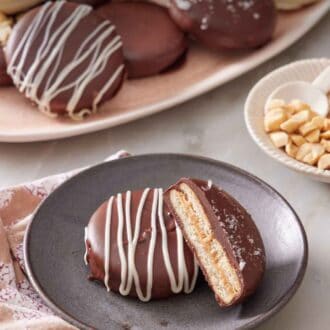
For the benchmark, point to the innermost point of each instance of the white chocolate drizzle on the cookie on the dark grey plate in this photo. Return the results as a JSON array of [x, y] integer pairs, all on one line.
[[129, 273]]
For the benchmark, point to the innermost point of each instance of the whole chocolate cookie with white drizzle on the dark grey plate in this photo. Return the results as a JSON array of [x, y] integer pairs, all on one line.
[[135, 248]]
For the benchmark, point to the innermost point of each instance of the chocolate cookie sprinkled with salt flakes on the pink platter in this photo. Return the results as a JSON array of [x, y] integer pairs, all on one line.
[[226, 24]]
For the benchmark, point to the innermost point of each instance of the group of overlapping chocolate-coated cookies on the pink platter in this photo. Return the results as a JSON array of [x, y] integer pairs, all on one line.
[[68, 57]]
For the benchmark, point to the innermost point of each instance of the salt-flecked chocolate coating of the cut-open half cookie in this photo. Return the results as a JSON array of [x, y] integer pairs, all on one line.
[[234, 228]]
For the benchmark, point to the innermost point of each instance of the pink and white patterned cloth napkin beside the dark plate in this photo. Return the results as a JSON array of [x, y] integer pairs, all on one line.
[[20, 305]]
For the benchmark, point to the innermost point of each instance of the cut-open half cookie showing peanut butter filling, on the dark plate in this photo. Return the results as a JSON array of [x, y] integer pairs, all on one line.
[[223, 236]]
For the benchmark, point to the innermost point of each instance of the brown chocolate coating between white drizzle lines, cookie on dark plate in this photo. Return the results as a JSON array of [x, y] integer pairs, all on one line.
[[95, 247]]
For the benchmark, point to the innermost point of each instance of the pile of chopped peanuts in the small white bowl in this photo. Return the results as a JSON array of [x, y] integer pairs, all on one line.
[[299, 131]]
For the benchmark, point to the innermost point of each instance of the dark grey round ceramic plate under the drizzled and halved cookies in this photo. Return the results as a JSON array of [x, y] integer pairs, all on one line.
[[54, 248]]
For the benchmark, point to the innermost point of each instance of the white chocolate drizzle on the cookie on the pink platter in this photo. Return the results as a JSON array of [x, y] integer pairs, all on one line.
[[50, 54]]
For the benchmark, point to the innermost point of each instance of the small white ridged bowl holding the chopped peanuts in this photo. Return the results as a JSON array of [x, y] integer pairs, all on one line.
[[306, 70]]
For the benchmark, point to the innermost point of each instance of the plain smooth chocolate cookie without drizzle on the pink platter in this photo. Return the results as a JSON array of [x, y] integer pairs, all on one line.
[[152, 42]]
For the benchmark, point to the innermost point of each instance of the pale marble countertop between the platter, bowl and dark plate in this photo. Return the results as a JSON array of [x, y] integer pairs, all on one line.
[[213, 126]]
